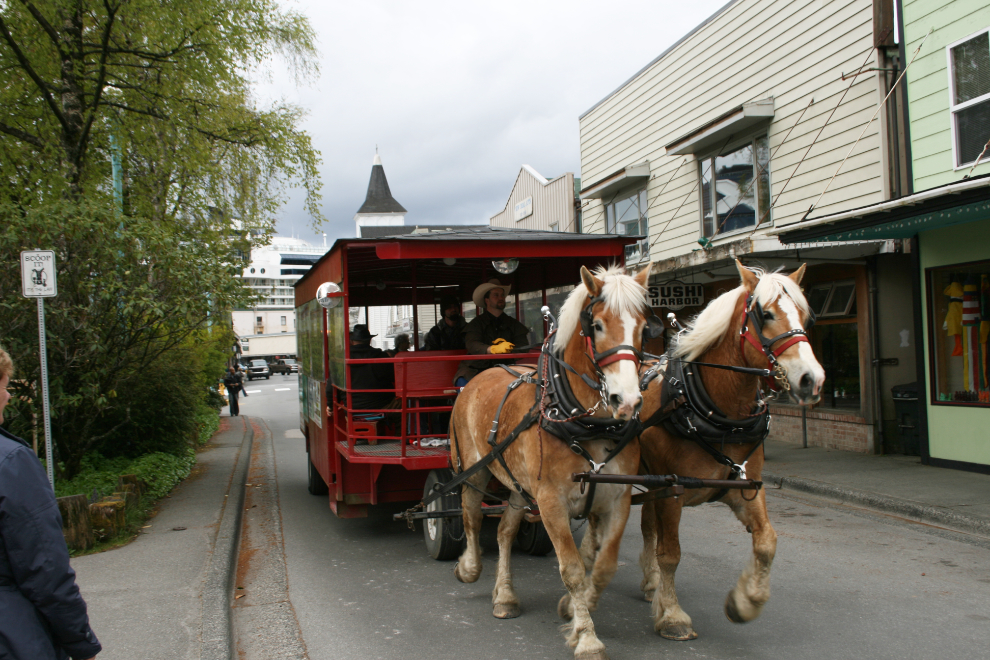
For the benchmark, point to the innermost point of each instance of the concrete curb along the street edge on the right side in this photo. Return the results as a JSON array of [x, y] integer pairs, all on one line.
[[923, 513]]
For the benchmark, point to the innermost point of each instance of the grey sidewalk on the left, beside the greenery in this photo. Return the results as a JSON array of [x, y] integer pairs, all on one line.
[[166, 594]]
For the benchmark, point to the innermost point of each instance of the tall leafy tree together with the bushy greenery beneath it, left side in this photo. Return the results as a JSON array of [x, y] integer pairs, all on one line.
[[162, 86]]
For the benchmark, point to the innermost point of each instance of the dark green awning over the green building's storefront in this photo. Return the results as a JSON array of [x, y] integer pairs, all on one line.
[[951, 204]]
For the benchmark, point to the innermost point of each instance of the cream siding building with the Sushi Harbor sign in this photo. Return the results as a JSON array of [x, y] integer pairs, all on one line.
[[767, 113]]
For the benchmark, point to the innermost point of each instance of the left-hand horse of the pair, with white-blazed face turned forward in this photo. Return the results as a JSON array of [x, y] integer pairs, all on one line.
[[599, 335]]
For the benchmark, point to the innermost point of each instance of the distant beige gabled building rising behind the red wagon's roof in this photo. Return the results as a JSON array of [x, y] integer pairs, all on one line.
[[536, 203]]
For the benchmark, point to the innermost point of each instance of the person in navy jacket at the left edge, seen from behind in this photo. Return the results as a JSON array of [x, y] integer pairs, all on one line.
[[42, 614]]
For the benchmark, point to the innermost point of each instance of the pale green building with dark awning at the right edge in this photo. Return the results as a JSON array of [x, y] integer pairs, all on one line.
[[944, 222]]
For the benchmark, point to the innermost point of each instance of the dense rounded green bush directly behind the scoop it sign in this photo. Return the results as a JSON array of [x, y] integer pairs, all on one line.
[[136, 329]]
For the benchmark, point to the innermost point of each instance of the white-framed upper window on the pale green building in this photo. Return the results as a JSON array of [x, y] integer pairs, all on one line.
[[969, 97]]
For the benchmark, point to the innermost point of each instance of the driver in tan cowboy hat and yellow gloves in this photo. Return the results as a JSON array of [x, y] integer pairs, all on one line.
[[491, 332]]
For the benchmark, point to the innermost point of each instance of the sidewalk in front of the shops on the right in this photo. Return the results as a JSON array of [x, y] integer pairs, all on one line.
[[896, 485]]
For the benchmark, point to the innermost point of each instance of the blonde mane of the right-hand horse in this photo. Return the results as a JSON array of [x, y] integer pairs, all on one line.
[[708, 328]]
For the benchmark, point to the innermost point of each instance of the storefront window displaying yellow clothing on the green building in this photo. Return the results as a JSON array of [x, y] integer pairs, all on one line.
[[958, 326]]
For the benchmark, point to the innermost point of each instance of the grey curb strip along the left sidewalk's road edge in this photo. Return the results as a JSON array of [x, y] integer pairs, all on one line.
[[217, 632]]
